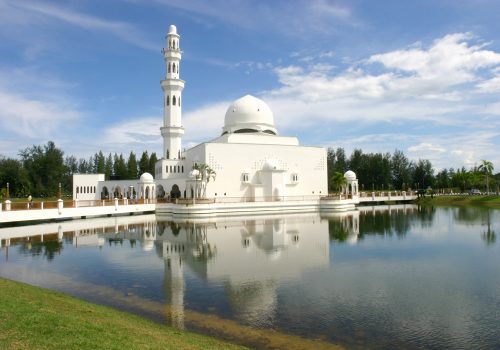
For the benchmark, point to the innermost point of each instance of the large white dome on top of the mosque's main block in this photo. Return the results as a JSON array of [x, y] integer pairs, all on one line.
[[249, 114]]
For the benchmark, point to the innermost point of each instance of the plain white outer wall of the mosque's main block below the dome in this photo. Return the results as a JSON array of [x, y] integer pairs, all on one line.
[[229, 161]]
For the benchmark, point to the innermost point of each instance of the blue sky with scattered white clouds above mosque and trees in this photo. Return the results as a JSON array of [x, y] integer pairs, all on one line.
[[418, 76]]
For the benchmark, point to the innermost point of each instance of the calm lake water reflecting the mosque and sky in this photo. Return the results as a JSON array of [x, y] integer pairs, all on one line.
[[379, 277]]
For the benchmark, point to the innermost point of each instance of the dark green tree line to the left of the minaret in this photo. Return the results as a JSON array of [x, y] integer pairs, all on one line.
[[40, 169]]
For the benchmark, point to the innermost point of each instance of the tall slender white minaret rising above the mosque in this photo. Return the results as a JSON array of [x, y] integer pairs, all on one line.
[[172, 87]]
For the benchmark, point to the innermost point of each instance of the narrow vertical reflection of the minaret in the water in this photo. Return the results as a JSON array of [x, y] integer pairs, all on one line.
[[174, 281]]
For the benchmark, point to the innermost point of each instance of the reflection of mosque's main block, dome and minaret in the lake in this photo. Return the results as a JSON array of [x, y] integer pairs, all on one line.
[[249, 256]]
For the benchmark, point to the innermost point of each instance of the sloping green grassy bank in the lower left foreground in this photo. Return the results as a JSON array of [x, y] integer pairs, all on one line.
[[35, 318]]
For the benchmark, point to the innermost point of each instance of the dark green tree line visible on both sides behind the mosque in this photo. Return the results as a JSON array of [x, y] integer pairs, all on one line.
[[40, 169]]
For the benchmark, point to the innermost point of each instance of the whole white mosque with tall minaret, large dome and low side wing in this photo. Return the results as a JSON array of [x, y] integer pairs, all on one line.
[[249, 162]]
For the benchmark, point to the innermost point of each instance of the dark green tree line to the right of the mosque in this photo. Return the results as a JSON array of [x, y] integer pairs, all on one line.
[[386, 171]]
